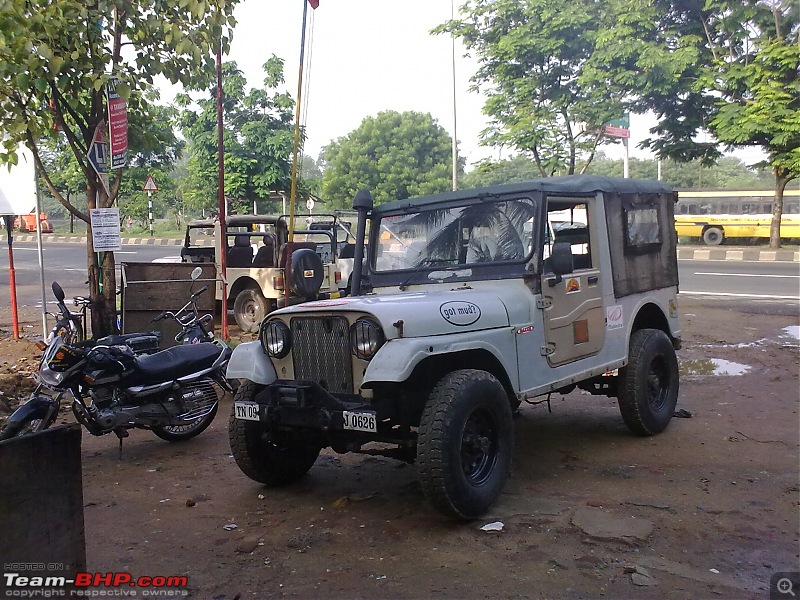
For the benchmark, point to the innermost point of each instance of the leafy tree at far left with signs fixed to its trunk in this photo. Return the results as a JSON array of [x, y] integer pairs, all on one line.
[[56, 59]]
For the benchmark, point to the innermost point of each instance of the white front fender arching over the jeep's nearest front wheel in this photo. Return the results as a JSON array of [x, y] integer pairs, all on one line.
[[398, 358]]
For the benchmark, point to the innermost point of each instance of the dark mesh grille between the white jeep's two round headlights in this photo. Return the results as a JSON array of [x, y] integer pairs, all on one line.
[[321, 352]]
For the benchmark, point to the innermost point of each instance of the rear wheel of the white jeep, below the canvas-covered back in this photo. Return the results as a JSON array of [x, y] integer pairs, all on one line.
[[648, 385]]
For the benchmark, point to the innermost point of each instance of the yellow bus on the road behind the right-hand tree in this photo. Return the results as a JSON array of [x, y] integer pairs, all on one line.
[[714, 215]]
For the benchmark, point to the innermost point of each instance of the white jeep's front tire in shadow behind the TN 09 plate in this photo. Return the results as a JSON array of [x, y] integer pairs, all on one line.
[[267, 461]]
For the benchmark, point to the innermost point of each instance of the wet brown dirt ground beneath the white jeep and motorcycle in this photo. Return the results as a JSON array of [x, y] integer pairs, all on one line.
[[708, 509]]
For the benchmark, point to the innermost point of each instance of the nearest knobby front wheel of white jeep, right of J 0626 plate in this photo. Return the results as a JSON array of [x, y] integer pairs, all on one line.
[[465, 443]]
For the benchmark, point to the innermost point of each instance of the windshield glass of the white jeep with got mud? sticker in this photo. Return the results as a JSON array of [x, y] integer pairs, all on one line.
[[478, 234]]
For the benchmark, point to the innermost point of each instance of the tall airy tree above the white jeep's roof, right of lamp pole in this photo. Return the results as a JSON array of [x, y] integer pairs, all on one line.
[[532, 56]]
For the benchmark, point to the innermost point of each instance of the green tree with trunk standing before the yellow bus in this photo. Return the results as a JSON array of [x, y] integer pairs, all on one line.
[[728, 67]]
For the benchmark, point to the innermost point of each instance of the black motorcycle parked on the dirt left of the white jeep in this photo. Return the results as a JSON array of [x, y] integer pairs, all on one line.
[[174, 392]]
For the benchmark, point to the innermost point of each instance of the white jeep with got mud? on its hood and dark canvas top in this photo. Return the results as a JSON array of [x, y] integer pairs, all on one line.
[[467, 304]]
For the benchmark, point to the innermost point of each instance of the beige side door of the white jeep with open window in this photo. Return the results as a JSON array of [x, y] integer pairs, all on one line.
[[572, 304]]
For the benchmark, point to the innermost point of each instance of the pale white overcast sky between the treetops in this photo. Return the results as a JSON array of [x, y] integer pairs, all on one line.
[[368, 56]]
